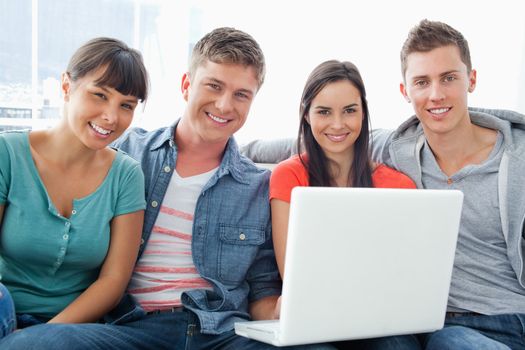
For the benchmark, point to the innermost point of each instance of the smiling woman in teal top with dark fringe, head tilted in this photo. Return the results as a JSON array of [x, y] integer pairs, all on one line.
[[71, 208]]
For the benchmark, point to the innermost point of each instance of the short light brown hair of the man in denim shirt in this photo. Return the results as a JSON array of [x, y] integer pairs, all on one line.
[[228, 45]]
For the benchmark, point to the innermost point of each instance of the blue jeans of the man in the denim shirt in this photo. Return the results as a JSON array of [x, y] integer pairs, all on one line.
[[177, 330]]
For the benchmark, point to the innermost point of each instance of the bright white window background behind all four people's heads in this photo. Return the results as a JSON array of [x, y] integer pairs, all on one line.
[[37, 37]]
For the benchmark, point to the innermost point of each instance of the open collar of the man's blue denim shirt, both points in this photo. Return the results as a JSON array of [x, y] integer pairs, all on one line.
[[231, 162]]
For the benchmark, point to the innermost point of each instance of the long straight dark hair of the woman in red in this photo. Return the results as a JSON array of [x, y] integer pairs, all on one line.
[[317, 163]]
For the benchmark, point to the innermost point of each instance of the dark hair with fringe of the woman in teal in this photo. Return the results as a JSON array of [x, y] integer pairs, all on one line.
[[125, 71]]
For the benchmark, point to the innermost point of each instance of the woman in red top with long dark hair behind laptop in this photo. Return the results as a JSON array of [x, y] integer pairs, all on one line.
[[333, 137]]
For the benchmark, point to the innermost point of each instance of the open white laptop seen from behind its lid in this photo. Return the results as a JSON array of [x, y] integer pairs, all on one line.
[[363, 263]]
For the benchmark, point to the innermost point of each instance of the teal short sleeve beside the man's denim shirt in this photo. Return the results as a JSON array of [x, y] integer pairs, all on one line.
[[131, 190]]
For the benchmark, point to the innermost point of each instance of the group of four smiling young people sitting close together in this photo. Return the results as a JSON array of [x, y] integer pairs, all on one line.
[[214, 225]]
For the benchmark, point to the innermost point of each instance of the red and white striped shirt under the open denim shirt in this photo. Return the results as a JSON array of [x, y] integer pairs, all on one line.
[[166, 267]]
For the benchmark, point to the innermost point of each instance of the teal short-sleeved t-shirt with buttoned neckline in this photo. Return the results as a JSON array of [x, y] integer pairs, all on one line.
[[46, 260]]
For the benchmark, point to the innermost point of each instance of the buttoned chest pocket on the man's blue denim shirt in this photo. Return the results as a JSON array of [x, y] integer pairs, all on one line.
[[239, 246]]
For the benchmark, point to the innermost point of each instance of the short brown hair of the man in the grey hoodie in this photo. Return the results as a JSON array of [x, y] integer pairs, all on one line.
[[429, 35]]
